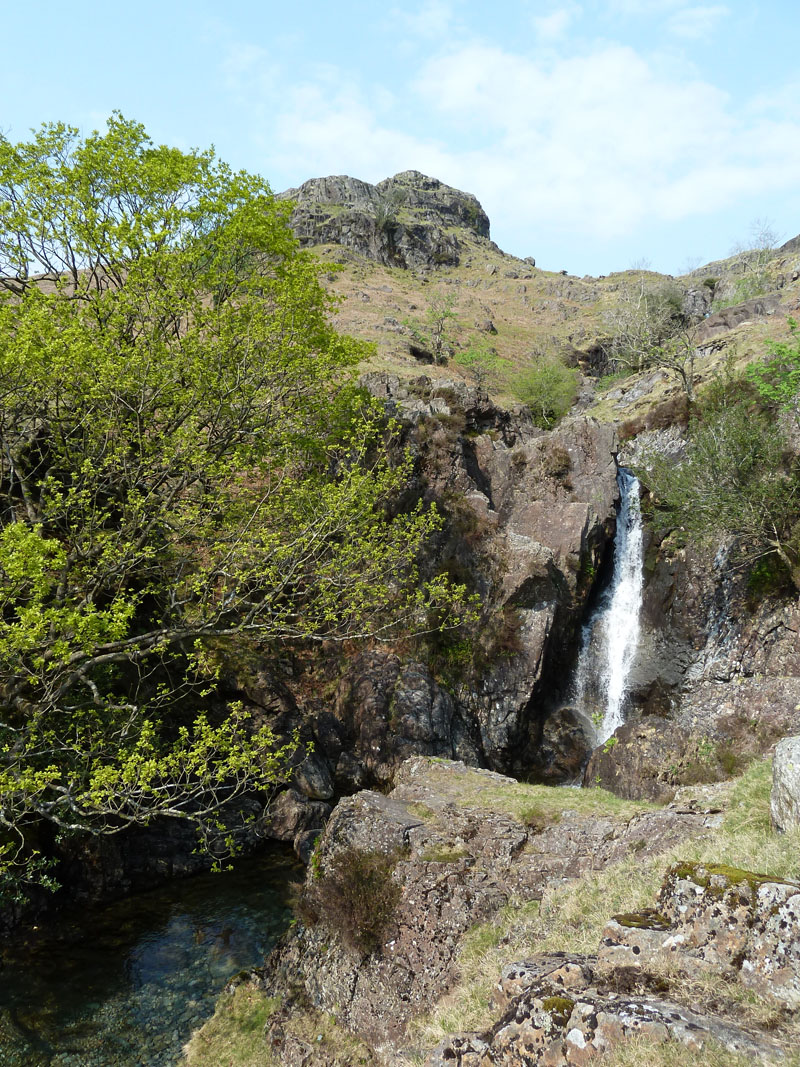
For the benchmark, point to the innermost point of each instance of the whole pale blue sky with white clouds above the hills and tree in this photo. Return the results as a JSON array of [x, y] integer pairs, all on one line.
[[597, 134]]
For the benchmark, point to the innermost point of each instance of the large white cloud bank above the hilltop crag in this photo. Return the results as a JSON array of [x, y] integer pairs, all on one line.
[[598, 145]]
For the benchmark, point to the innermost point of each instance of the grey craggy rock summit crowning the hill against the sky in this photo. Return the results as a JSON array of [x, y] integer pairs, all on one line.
[[409, 221]]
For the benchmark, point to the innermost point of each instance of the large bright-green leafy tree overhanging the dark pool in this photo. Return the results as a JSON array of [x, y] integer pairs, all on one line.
[[184, 464]]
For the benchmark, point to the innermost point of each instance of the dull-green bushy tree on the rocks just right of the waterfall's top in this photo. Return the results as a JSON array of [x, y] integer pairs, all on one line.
[[738, 480]]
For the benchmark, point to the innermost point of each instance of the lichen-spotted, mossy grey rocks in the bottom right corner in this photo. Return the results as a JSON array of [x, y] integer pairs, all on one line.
[[562, 1010]]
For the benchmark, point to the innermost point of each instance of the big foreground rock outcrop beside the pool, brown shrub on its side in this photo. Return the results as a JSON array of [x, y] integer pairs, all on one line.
[[457, 853]]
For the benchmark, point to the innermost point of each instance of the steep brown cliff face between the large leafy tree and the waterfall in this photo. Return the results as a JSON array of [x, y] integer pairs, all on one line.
[[527, 521]]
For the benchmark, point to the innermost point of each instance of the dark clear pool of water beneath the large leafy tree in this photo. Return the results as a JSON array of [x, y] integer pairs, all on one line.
[[129, 982]]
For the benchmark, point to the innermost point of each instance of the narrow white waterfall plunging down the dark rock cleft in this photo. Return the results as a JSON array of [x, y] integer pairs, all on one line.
[[611, 636]]
